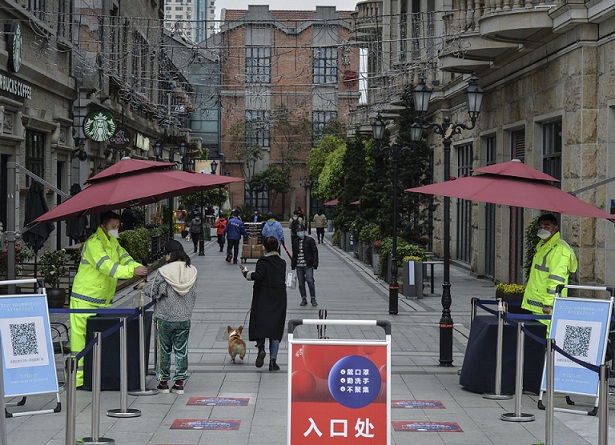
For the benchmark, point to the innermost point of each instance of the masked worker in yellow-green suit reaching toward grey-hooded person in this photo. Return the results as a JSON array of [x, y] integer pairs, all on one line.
[[103, 262]]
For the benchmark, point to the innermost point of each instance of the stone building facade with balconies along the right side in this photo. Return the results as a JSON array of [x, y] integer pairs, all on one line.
[[548, 72]]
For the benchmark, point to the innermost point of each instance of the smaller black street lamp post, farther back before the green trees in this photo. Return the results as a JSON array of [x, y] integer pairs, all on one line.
[[395, 152]]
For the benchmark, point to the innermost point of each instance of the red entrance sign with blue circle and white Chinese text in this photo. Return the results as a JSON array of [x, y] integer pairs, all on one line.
[[338, 393]]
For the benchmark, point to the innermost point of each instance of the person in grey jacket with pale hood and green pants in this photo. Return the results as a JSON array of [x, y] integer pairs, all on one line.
[[174, 289]]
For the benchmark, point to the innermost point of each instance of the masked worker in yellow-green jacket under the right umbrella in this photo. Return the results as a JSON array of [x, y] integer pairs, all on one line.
[[552, 264]]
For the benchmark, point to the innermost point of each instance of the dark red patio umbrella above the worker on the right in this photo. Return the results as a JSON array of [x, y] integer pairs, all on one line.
[[531, 190]]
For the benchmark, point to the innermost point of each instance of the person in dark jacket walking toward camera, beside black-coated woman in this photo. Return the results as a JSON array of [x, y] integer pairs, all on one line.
[[305, 261]]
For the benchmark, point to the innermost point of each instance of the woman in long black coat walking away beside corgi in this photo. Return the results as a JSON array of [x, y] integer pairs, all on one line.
[[268, 310]]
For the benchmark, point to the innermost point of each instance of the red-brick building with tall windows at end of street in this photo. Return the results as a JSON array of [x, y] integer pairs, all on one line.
[[285, 74]]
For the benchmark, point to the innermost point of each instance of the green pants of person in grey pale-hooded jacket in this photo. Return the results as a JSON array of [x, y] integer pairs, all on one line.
[[172, 337]]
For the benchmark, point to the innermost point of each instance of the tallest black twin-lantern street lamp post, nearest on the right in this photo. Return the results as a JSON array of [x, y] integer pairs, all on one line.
[[474, 96]]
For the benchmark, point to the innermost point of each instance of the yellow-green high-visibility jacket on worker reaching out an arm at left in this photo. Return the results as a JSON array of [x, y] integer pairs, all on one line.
[[103, 262]]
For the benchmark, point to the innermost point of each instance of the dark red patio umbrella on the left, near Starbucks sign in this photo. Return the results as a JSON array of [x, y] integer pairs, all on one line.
[[144, 186]]
